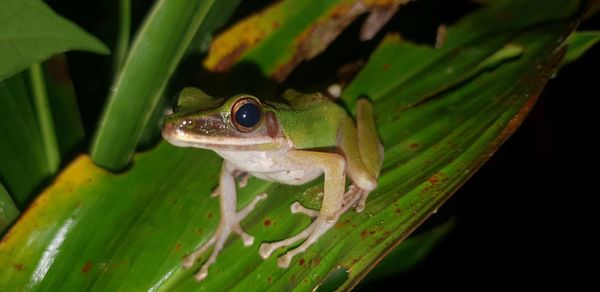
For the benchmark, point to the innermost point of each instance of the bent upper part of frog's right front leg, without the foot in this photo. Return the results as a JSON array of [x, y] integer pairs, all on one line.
[[333, 166]]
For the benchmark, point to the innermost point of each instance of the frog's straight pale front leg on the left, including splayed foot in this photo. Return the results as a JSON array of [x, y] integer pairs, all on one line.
[[230, 221]]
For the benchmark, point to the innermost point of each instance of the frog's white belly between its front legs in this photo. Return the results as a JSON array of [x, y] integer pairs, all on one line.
[[272, 166]]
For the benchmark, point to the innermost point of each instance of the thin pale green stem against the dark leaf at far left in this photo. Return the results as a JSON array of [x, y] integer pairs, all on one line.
[[44, 117]]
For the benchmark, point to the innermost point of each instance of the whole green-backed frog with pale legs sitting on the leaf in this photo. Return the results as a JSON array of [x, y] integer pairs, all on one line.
[[292, 140]]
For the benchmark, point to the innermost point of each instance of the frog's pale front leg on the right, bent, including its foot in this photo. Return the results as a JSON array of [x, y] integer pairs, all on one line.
[[333, 166]]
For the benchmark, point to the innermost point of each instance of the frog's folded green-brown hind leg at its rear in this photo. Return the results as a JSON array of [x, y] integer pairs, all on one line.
[[364, 154]]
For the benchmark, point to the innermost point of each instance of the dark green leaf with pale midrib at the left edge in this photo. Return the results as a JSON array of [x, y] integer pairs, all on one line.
[[28, 156]]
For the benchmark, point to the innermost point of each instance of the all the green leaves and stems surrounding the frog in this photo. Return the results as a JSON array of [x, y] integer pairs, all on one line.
[[441, 112]]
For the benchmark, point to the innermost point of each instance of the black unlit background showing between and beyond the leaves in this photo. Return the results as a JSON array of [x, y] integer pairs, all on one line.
[[522, 222]]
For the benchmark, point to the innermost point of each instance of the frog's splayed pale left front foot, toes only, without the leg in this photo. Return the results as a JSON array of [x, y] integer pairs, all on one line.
[[229, 223]]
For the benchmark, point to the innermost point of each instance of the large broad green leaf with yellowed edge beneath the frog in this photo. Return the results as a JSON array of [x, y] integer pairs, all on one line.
[[93, 229]]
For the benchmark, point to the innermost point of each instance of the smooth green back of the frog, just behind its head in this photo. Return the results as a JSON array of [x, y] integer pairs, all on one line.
[[312, 120]]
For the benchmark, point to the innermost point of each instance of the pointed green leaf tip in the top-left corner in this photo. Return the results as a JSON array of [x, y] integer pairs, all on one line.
[[31, 32]]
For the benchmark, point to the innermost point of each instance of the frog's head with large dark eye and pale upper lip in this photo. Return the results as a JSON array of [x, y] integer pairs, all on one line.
[[239, 123]]
